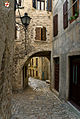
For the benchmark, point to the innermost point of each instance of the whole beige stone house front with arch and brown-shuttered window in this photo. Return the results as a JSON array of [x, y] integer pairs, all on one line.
[[36, 43]]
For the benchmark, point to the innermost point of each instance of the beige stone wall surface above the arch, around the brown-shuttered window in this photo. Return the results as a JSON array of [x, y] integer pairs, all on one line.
[[39, 18]]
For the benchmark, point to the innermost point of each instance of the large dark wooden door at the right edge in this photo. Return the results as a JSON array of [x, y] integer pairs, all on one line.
[[75, 80]]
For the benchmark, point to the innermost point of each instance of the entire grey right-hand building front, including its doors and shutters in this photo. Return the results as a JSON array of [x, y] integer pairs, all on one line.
[[66, 49]]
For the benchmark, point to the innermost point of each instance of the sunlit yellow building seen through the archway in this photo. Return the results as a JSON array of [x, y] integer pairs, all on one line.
[[39, 68]]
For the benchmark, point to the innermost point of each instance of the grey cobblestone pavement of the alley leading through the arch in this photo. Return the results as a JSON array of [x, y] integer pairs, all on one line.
[[38, 102]]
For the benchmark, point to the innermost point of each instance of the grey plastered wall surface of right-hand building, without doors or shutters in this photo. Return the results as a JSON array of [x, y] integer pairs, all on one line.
[[65, 44]]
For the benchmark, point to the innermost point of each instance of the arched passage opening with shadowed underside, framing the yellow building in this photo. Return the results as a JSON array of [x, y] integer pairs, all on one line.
[[35, 67]]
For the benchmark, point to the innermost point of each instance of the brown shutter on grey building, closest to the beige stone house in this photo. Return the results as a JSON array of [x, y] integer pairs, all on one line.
[[55, 25]]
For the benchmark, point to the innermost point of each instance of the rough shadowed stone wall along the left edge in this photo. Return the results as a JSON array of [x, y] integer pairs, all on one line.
[[6, 57]]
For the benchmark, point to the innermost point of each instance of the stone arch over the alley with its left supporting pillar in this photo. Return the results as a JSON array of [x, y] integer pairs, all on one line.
[[18, 80]]
